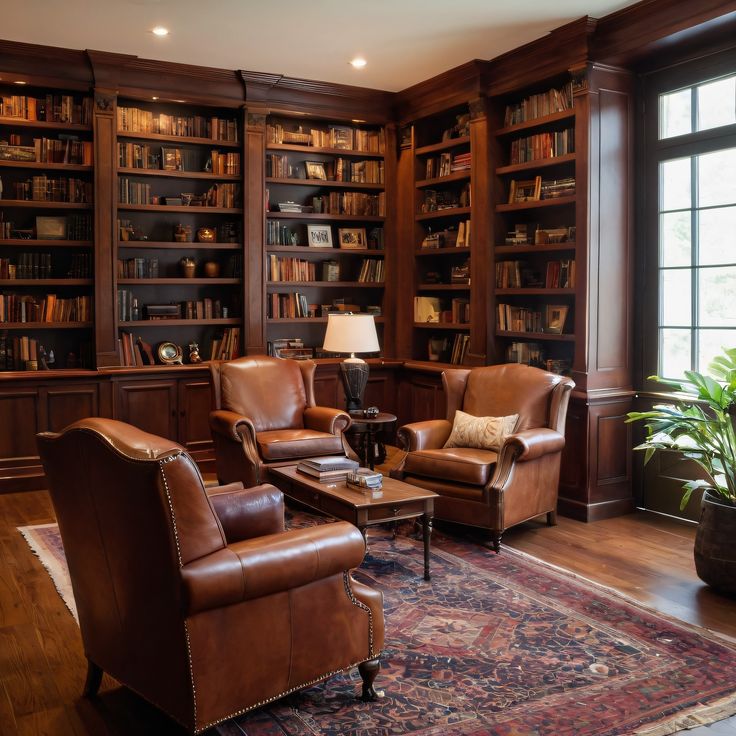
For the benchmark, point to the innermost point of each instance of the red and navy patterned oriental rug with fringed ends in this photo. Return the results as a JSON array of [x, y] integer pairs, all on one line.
[[498, 645]]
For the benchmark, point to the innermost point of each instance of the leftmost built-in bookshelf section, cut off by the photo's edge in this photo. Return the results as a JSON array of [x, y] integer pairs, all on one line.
[[46, 229]]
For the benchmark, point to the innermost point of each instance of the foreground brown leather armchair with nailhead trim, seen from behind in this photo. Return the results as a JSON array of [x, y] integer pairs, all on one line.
[[198, 599]]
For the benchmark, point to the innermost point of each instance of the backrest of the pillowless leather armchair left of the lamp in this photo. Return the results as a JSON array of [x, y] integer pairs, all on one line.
[[272, 392]]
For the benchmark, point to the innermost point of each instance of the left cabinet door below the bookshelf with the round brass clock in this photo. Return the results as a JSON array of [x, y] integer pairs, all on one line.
[[150, 405]]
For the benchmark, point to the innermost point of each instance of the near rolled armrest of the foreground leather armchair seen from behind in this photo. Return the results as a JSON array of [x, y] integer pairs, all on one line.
[[275, 563]]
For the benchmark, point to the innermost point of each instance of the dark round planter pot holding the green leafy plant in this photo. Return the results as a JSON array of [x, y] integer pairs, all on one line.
[[715, 544]]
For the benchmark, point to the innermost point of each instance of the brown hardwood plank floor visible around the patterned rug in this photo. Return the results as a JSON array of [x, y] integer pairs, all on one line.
[[42, 667]]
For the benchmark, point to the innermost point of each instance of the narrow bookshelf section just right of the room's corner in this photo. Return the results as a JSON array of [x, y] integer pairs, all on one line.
[[442, 237]]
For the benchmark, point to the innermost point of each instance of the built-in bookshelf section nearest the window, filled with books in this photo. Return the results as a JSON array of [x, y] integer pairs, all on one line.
[[535, 243]]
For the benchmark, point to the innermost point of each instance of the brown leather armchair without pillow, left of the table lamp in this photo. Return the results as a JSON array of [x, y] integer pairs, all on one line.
[[265, 415]]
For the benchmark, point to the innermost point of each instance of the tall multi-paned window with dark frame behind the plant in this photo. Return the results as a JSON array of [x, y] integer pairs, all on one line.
[[693, 168]]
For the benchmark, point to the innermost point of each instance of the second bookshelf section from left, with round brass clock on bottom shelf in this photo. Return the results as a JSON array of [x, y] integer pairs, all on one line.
[[179, 251]]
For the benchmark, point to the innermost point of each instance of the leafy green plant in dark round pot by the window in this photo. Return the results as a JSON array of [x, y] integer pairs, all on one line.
[[699, 424]]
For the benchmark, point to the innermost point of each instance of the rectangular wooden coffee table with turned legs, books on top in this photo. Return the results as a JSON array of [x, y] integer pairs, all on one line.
[[397, 501]]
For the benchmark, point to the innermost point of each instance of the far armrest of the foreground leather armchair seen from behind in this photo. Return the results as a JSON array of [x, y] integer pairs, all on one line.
[[248, 512]]
